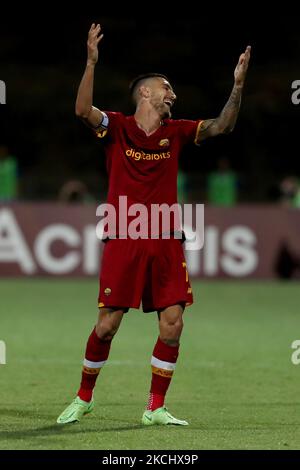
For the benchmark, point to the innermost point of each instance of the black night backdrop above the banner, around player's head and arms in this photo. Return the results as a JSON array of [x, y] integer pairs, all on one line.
[[42, 61]]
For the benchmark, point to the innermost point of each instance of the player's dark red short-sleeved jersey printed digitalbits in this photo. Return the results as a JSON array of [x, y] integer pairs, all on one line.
[[144, 168]]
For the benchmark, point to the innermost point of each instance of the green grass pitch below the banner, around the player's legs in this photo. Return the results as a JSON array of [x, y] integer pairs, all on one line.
[[234, 382]]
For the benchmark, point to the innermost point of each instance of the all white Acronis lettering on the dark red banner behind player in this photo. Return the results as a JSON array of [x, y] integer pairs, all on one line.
[[232, 251]]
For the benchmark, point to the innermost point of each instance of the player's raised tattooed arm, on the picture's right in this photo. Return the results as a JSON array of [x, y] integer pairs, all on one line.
[[225, 122]]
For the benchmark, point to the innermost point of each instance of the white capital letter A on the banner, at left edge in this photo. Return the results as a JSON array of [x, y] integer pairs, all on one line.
[[13, 247]]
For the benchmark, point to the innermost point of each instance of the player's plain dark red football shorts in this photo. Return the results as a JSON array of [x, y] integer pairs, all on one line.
[[149, 270]]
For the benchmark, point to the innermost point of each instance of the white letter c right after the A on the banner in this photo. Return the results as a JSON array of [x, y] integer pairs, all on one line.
[[42, 246]]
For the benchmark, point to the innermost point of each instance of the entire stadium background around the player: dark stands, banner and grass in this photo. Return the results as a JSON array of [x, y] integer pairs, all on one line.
[[236, 374]]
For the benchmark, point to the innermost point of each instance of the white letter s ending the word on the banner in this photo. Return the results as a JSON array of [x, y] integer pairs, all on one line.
[[241, 258]]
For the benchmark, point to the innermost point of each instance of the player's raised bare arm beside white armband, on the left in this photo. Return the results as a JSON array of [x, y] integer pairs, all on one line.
[[84, 108]]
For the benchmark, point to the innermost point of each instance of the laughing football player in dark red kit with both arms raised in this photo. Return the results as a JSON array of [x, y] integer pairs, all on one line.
[[142, 154]]
